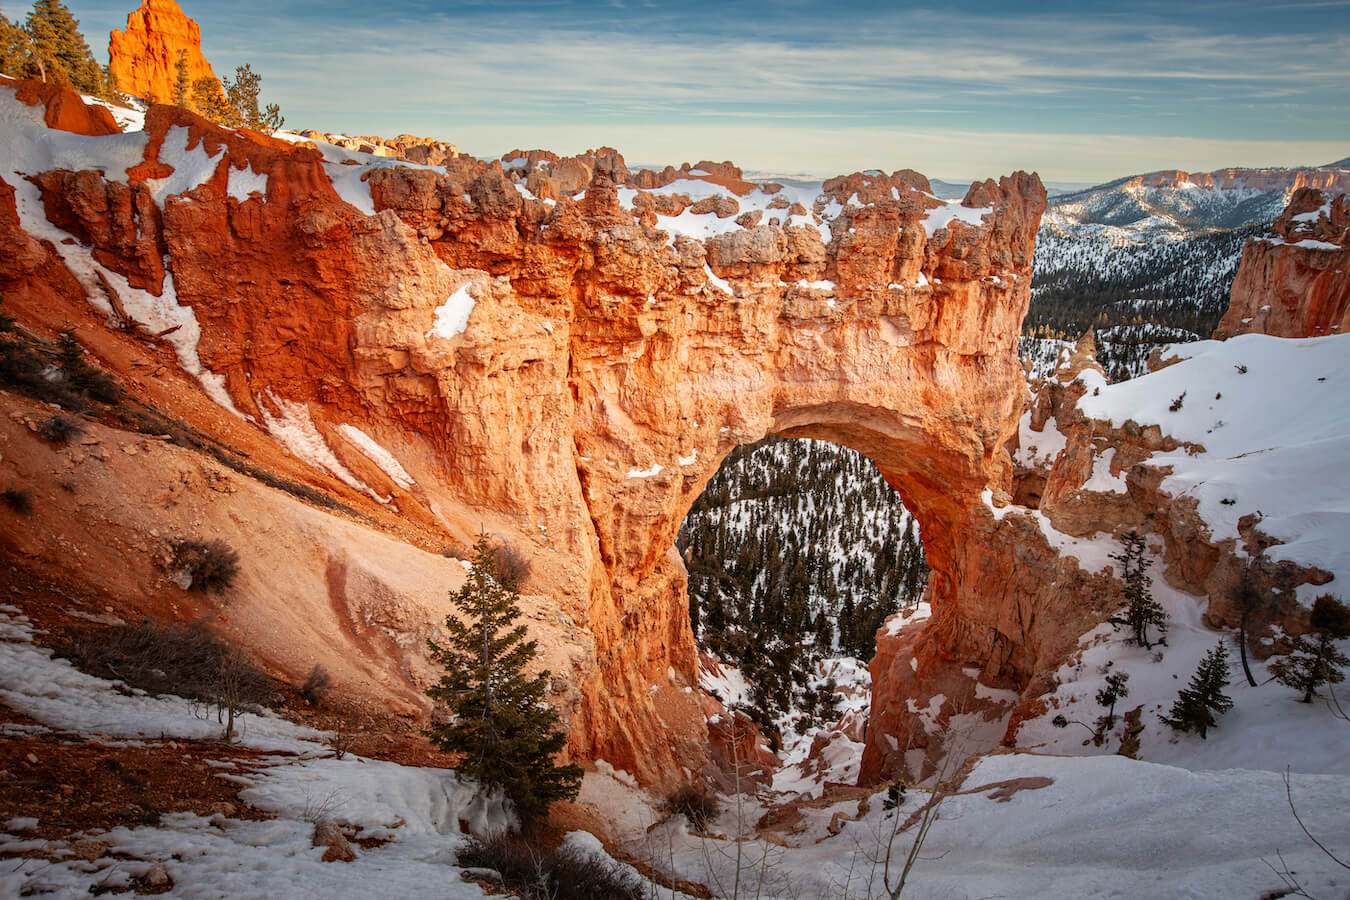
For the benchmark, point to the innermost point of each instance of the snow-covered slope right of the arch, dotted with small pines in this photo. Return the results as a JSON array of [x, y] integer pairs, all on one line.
[[1266, 424]]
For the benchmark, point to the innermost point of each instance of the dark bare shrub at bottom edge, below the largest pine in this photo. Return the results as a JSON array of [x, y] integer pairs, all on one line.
[[551, 875]]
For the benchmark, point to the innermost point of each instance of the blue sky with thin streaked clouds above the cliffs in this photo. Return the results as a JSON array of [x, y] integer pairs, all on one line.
[[1079, 92]]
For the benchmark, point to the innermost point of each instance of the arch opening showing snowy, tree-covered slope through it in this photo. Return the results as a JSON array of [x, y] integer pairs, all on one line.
[[797, 551]]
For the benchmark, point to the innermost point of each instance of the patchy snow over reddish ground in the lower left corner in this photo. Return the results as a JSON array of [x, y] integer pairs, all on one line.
[[416, 809]]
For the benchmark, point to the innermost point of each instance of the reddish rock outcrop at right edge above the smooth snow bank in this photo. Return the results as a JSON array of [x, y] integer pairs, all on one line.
[[1297, 283]]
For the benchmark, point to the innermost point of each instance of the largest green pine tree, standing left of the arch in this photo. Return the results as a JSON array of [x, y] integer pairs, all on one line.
[[502, 727]]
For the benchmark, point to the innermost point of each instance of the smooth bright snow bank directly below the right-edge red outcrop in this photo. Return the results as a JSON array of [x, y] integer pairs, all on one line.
[[1274, 416]]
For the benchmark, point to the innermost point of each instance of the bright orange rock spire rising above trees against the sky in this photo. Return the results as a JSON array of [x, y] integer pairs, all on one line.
[[145, 57]]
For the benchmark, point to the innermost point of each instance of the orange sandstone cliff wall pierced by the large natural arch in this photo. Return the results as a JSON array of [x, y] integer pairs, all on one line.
[[622, 333]]
